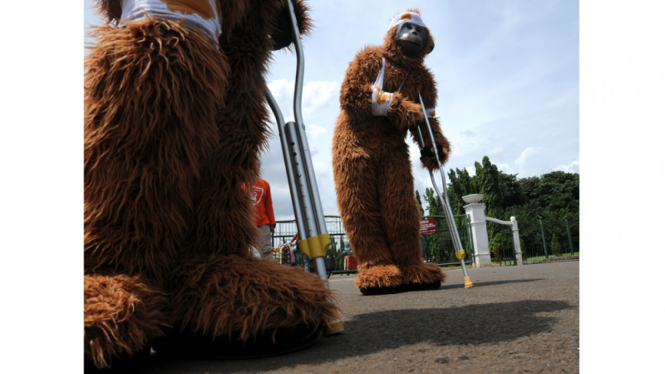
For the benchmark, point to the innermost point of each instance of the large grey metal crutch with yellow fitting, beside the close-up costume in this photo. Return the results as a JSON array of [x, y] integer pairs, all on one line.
[[307, 208]]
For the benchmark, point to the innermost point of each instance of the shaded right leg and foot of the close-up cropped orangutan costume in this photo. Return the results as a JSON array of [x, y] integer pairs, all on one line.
[[225, 302]]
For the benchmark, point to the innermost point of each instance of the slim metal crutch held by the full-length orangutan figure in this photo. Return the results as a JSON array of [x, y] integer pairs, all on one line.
[[457, 243]]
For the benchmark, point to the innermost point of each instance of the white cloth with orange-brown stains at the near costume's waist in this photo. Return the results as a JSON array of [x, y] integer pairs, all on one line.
[[206, 17]]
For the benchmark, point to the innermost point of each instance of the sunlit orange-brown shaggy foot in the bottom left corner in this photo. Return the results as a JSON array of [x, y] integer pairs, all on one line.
[[121, 316]]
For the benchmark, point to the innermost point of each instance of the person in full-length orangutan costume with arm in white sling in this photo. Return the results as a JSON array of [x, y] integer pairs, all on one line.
[[372, 171]]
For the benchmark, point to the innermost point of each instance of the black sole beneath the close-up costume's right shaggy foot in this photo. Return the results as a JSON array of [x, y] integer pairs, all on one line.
[[271, 342]]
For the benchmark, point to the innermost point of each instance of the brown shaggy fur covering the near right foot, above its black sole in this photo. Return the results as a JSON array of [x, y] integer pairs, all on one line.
[[227, 294]]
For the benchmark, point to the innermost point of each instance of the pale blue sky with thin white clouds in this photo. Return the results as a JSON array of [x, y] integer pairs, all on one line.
[[507, 73]]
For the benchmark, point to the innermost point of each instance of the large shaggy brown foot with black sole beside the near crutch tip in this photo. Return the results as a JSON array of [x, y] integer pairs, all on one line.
[[219, 302]]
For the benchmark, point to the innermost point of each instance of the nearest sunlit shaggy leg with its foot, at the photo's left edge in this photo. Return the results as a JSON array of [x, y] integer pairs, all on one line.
[[151, 93]]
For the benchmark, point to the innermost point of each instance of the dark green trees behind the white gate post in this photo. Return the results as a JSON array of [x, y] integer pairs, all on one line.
[[552, 198]]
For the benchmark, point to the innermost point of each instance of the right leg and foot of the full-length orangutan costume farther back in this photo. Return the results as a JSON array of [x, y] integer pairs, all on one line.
[[401, 218]]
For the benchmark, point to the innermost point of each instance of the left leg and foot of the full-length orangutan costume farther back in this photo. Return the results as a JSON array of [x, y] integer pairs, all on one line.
[[356, 182]]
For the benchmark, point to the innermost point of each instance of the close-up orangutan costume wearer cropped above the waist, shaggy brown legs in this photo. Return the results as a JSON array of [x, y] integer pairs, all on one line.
[[174, 123]]
